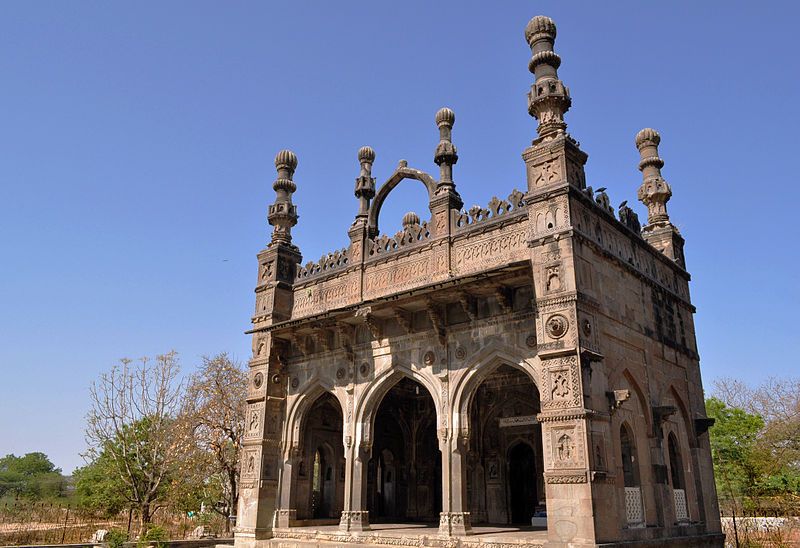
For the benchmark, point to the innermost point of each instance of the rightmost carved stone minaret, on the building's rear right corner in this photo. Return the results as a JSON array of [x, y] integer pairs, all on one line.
[[654, 193]]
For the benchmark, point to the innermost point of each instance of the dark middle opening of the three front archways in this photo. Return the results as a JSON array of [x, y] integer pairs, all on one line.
[[404, 475]]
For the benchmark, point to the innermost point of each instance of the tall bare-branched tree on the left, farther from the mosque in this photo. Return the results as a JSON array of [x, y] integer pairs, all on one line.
[[130, 423]]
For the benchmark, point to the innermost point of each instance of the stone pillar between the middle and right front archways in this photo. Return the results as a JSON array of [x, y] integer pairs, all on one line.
[[455, 516]]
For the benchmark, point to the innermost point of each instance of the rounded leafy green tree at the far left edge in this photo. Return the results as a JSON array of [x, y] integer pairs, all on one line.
[[32, 476]]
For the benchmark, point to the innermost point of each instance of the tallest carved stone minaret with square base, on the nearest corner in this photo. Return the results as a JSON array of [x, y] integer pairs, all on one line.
[[554, 160]]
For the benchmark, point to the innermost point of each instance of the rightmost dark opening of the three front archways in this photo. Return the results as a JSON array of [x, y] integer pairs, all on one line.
[[505, 461]]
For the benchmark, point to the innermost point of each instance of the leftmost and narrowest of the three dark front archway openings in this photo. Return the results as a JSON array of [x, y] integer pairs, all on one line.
[[320, 477]]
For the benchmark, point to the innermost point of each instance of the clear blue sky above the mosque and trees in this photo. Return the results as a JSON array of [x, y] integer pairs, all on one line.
[[137, 140]]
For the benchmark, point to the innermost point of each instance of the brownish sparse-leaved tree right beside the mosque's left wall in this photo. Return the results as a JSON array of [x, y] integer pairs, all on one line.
[[214, 409]]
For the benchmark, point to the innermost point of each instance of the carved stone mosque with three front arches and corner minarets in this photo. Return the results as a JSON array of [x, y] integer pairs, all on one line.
[[520, 374]]
